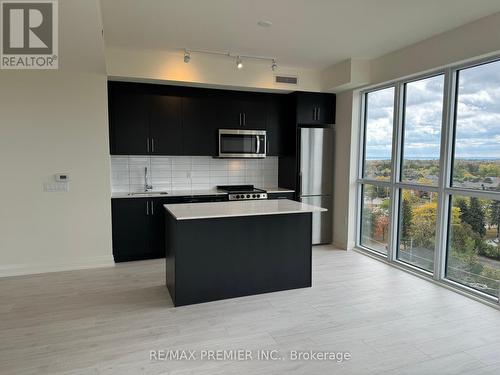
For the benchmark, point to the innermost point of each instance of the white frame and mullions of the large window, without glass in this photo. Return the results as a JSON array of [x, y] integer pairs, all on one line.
[[444, 187]]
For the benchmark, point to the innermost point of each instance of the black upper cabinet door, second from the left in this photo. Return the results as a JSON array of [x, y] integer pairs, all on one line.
[[166, 125]]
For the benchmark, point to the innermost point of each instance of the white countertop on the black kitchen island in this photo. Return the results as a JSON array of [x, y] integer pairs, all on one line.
[[190, 211]]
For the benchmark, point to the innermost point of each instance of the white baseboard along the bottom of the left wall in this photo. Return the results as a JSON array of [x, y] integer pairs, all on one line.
[[39, 267]]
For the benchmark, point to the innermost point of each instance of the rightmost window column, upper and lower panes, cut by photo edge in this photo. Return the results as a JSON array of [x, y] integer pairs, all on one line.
[[473, 251]]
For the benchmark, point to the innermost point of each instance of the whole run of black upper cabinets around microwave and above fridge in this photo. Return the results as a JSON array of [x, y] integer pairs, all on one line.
[[147, 119]]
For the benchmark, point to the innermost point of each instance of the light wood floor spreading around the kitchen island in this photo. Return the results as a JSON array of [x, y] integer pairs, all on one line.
[[106, 321]]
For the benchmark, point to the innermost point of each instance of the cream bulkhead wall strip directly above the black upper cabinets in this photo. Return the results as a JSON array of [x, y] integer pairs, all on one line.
[[215, 71]]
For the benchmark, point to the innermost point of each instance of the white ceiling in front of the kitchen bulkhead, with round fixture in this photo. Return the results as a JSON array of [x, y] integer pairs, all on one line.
[[304, 33]]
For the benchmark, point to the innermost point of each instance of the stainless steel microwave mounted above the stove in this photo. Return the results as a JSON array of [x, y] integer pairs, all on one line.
[[238, 143]]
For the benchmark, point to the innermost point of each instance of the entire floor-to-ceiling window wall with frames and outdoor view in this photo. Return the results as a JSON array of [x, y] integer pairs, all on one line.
[[429, 176]]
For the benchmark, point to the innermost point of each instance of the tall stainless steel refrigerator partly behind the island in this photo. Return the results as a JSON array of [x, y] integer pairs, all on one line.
[[316, 178]]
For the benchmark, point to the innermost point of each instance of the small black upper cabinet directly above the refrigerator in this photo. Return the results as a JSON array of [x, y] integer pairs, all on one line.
[[315, 108]]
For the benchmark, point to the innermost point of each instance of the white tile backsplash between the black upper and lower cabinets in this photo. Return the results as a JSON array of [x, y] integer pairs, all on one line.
[[190, 172]]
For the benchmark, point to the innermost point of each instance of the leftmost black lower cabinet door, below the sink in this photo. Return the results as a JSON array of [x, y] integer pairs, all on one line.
[[130, 223]]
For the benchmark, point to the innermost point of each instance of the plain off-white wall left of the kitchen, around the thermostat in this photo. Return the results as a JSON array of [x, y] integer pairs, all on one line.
[[53, 122]]
